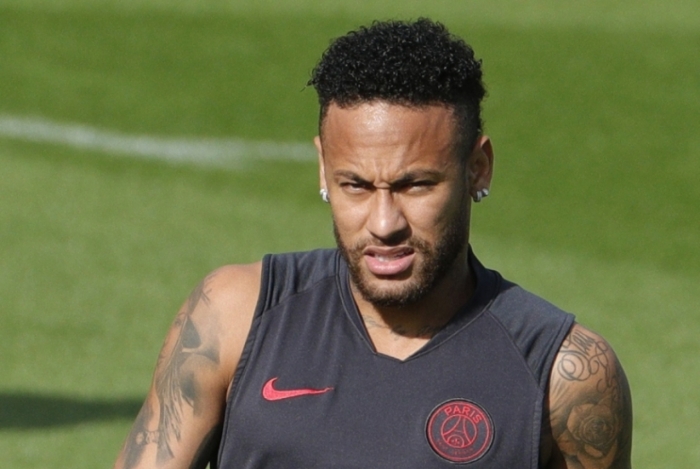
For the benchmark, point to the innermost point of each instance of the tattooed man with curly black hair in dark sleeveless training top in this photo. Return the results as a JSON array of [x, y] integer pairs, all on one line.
[[398, 349]]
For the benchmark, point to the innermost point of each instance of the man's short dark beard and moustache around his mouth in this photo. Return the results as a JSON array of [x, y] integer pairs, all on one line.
[[433, 263]]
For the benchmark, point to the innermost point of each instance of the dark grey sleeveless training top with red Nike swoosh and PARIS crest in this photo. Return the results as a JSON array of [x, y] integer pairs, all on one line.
[[310, 391]]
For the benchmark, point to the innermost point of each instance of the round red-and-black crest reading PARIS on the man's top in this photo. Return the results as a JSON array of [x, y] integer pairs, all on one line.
[[459, 431]]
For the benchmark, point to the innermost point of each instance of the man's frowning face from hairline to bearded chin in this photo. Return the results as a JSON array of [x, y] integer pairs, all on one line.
[[399, 194]]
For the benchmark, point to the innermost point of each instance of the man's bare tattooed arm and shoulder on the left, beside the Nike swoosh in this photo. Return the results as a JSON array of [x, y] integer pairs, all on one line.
[[180, 422]]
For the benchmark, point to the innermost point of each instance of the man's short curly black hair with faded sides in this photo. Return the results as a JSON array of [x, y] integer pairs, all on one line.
[[408, 63]]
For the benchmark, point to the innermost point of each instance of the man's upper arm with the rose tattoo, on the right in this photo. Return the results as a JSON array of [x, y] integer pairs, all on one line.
[[589, 406]]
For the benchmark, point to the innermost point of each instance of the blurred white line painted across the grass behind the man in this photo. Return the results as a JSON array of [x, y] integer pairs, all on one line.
[[204, 151]]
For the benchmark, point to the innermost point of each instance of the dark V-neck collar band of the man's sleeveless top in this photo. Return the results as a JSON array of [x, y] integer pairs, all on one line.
[[487, 283]]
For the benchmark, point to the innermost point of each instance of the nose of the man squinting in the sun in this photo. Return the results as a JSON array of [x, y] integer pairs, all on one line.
[[386, 220]]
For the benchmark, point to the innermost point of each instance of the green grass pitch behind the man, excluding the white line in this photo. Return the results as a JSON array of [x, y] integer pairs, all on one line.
[[593, 108]]
